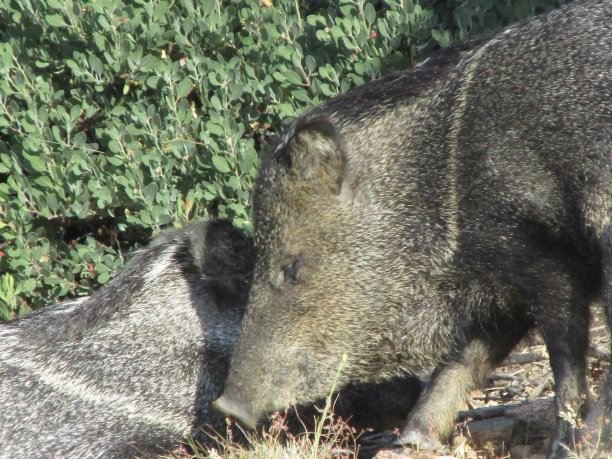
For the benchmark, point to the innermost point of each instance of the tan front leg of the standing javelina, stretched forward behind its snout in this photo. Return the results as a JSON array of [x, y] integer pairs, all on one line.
[[434, 415]]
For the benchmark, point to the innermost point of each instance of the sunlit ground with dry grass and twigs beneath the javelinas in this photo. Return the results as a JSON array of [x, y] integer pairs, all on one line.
[[513, 417]]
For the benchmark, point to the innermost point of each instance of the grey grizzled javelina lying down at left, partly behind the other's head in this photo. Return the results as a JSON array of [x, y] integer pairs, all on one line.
[[135, 367]]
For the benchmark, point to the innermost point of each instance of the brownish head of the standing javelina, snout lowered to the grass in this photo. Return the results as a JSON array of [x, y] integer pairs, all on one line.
[[312, 300]]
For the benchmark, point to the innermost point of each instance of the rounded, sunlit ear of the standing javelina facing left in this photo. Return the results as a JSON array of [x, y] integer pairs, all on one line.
[[317, 155]]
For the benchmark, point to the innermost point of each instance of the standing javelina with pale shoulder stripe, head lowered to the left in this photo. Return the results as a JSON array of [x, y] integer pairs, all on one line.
[[431, 218]]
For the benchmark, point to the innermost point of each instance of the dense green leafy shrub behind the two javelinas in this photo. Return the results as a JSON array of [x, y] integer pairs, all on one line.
[[120, 118]]
